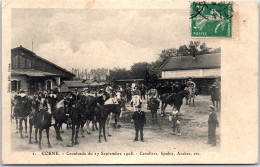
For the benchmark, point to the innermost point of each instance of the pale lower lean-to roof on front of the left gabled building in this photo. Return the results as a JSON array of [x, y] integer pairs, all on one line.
[[31, 73]]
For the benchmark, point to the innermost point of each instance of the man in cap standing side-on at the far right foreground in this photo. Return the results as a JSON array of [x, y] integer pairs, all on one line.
[[212, 125]]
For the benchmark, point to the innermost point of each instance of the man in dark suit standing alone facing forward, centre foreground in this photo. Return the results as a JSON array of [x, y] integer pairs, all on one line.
[[139, 122]]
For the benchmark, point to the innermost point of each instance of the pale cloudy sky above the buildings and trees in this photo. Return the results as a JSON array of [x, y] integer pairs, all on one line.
[[95, 38]]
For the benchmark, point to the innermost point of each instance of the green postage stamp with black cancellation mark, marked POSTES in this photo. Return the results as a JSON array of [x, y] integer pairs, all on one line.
[[210, 19]]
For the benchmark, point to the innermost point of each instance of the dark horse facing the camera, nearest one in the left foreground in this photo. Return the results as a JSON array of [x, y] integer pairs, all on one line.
[[40, 118]]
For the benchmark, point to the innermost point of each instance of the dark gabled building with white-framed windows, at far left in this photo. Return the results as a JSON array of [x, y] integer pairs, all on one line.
[[32, 73]]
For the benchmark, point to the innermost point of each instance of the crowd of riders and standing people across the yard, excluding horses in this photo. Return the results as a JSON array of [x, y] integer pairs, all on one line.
[[134, 93]]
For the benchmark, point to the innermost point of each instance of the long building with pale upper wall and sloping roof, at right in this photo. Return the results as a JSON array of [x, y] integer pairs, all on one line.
[[204, 70]]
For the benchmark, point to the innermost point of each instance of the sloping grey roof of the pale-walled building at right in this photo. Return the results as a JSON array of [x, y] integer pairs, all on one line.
[[187, 62]]
